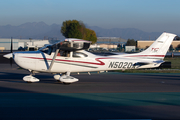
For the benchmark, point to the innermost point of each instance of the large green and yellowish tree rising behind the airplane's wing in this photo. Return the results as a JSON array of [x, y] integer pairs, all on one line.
[[76, 29]]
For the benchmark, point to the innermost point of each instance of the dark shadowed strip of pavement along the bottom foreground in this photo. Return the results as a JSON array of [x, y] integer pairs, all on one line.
[[21, 104]]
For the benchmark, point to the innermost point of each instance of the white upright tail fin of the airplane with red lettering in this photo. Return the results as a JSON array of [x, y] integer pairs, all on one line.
[[159, 48]]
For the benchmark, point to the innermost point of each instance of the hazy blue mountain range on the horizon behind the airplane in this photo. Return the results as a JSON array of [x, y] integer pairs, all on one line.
[[40, 30]]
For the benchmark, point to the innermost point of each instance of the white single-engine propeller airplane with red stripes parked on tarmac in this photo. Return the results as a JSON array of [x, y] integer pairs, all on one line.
[[69, 56]]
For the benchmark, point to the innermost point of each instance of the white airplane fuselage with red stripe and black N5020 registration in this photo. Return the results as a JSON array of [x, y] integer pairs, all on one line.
[[82, 61]]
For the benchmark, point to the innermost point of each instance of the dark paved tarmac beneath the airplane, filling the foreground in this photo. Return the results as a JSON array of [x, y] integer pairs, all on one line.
[[104, 96]]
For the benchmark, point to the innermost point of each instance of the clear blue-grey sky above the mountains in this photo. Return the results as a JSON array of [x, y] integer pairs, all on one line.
[[146, 15]]
